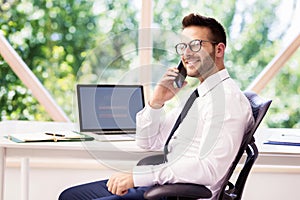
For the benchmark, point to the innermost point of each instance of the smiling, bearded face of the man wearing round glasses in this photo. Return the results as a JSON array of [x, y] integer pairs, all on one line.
[[199, 64]]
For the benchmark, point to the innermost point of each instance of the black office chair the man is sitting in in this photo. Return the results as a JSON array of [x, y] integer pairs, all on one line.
[[229, 191]]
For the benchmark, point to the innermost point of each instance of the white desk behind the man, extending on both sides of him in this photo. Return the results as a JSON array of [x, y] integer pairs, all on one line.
[[125, 153]]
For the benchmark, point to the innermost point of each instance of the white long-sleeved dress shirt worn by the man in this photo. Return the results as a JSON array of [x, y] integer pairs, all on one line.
[[205, 143]]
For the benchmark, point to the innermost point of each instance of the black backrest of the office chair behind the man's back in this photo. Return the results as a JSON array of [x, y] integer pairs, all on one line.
[[235, 191]]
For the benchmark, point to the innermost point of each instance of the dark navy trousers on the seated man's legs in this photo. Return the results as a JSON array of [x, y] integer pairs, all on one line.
[[98, 191]]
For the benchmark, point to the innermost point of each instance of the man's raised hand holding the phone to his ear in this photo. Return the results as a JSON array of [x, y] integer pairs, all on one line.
[[165, 90]]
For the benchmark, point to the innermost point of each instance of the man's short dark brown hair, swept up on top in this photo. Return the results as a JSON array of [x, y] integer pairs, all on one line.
[[218, 32]]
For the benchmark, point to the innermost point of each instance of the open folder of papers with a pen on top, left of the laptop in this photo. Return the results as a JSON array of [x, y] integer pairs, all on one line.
[[55, 136]]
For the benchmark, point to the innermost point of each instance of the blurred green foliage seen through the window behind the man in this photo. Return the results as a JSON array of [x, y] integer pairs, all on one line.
[[54, 38]]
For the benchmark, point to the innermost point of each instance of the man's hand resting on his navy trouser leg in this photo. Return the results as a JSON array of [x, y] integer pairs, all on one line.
[[120, 183]]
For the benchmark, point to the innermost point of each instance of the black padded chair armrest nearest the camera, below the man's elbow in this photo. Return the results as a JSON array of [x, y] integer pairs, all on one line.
[[186, 190]]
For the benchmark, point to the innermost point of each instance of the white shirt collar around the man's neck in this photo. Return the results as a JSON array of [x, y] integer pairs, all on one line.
[[212, 81]]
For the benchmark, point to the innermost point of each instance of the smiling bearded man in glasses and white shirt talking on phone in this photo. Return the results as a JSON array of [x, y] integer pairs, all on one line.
[[208, 138]]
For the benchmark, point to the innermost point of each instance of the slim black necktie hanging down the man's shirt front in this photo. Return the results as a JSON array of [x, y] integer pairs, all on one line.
[[182, 115]]
